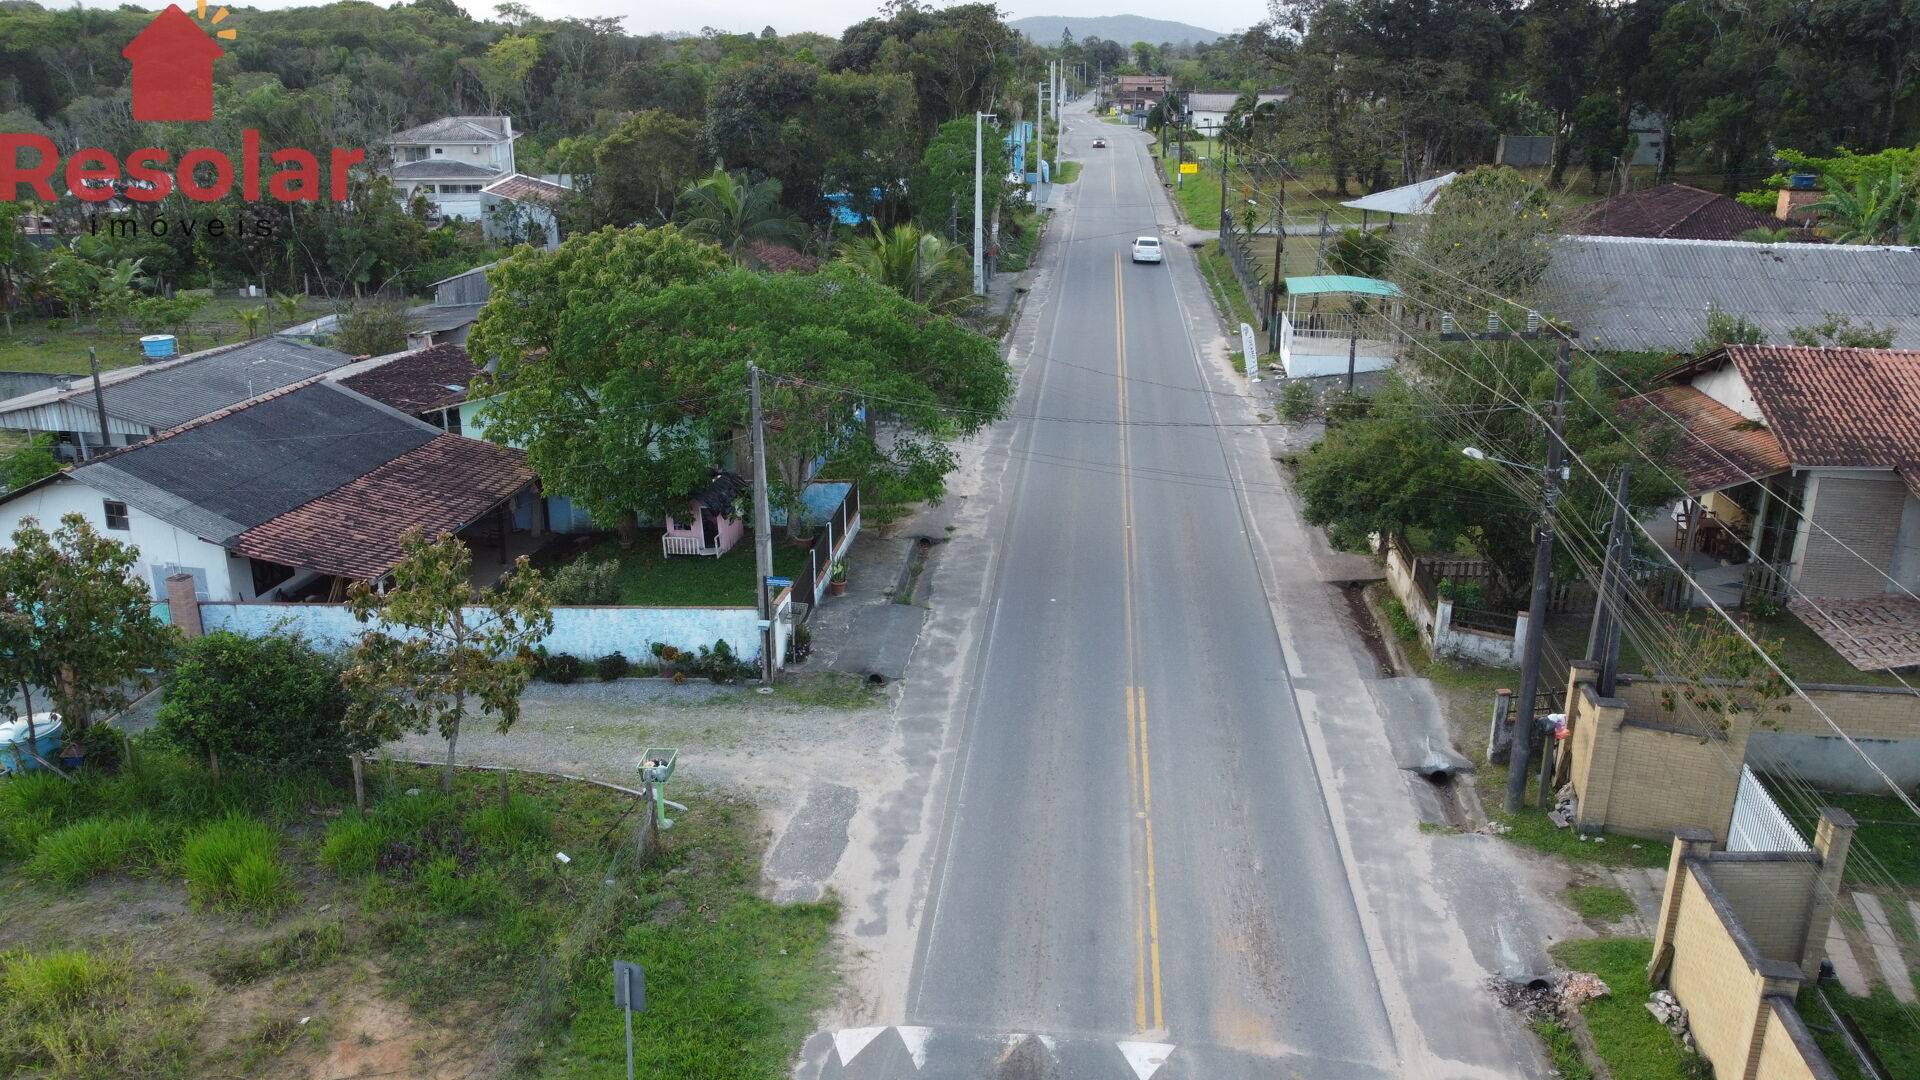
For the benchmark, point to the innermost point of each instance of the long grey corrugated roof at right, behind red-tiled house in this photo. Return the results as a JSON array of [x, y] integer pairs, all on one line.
[[1652, 295]]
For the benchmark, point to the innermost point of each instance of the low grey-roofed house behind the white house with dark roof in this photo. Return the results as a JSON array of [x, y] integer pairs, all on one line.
[[145, 401]]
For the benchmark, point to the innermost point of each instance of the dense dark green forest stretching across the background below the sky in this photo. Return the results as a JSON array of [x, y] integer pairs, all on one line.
[[1381, 91]]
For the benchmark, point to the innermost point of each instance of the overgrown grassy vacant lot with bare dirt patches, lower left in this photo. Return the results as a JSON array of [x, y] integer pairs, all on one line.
[[162, 923]]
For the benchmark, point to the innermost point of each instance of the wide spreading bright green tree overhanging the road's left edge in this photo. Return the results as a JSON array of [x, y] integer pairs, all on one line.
[[828, 343]]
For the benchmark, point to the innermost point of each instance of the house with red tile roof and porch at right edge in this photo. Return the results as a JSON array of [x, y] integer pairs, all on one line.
[[1802, 472]]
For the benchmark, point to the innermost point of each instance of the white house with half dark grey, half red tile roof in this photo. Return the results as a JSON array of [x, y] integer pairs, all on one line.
[[287, 497]]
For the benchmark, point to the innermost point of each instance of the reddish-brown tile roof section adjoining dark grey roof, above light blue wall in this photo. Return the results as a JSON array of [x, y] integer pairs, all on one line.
[[354, 531]]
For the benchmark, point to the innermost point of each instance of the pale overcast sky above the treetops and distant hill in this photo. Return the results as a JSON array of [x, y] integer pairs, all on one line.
[[794, 16]]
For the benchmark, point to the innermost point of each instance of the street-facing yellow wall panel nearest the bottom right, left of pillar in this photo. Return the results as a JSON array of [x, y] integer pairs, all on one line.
[[1714, 983]]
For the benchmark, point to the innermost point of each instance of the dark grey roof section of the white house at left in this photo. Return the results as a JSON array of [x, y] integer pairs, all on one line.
[[252, 464]]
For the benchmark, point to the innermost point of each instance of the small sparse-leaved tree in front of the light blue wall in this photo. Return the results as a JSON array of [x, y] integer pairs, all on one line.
[[433, 645]]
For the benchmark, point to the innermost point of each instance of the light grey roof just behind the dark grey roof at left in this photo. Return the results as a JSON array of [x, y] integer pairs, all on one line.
[[176, 395]]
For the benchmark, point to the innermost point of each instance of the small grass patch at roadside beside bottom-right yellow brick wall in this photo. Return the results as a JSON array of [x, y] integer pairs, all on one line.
[[1625, 1035]]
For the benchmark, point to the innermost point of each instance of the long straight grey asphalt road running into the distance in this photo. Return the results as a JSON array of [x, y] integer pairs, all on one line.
[[1136, 856]]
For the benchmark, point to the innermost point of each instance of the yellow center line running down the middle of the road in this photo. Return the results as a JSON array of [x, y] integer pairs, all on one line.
[[1147, 996]]
